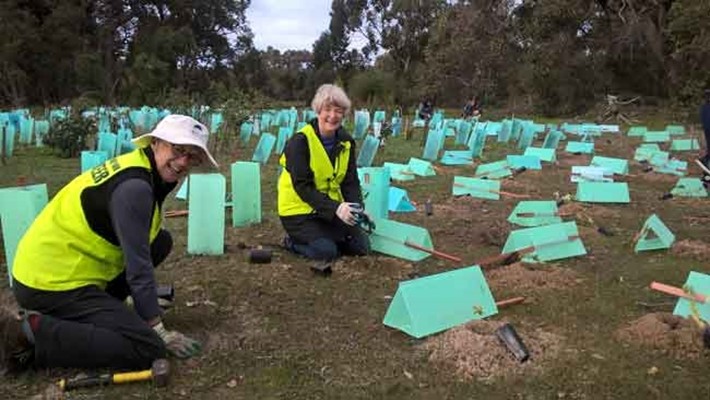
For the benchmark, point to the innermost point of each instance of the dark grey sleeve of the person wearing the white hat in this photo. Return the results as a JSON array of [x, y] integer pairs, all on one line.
[[131, 209]]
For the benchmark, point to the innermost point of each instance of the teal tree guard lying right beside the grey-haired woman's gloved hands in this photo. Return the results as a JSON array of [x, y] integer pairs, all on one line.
[[391, 238]]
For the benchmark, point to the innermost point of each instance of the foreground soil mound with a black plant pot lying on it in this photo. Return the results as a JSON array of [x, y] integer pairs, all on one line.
[[472, 351]]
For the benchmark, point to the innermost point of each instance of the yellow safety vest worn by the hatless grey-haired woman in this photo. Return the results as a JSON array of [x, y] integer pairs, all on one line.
[[326, 176]]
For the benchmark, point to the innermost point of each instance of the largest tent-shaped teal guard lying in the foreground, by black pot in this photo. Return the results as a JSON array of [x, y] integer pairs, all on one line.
[[435, 303]]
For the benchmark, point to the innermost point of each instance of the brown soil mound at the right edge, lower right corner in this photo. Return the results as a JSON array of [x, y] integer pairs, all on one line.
[[665, 332]]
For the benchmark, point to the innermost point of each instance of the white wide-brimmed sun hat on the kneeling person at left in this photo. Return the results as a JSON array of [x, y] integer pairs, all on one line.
[[179, 129]]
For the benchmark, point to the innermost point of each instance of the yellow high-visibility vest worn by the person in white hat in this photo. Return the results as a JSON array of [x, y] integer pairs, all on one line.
[[60, 251]]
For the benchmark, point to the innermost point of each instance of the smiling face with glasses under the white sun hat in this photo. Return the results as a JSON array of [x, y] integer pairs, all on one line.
[[173, 161]]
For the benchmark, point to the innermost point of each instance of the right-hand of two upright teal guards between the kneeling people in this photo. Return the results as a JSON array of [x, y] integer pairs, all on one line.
[[246, 194]]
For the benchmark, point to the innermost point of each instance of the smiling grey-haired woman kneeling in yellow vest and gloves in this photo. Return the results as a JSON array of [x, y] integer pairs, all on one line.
[[319, 195]]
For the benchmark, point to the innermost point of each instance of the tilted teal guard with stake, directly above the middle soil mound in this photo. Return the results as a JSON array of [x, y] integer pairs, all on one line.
[[547, 242]]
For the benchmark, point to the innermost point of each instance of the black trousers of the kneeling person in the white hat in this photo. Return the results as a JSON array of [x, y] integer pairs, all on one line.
[[92, 328]]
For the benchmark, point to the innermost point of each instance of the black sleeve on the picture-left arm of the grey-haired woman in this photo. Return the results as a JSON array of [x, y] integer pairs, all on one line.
[[298, 165]]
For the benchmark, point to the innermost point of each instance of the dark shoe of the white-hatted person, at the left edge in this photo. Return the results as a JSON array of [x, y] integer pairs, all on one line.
[[16, 349]]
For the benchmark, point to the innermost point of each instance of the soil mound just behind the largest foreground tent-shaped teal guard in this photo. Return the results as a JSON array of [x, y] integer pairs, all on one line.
[[521, 278]]
